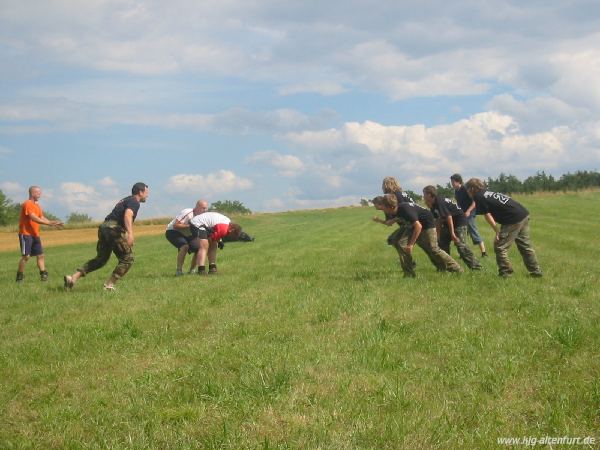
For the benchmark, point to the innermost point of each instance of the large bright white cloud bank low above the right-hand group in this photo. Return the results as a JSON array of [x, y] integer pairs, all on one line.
[[490, 142]]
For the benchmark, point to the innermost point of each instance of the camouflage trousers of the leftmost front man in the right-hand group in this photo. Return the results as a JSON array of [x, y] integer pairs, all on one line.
[[427, 240]]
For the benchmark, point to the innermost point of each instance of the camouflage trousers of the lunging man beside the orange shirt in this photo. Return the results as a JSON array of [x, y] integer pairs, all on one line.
[[111, 239]]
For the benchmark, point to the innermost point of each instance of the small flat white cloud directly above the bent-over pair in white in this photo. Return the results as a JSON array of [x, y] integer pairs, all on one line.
[[206, 185]]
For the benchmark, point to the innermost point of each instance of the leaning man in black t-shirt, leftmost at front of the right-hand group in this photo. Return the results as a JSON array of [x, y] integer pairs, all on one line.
[[421, 232]]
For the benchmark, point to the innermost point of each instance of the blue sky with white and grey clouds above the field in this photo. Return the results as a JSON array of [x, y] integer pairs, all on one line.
[[287, 105]]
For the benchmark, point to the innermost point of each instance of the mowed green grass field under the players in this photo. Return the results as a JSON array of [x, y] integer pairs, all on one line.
[[309, 337]]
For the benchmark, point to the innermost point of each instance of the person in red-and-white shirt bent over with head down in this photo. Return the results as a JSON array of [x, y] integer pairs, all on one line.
[[209, 227]]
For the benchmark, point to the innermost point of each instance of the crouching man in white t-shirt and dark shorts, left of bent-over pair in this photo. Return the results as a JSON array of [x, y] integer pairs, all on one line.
[[178, 233]]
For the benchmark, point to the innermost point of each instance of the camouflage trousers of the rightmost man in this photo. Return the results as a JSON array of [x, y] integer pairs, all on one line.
[[517, 233]]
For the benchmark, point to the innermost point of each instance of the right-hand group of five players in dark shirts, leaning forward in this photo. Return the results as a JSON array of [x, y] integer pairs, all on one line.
[[434, 229]]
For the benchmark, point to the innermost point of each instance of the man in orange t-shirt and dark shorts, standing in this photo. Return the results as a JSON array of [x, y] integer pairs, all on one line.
[[29, 233]]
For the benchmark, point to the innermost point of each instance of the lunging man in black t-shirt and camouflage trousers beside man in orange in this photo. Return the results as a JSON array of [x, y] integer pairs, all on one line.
[[115, 235]]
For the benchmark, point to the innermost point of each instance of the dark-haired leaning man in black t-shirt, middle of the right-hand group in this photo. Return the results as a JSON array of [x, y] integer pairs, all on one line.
[[451, 225]]
